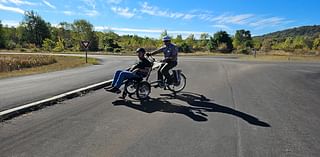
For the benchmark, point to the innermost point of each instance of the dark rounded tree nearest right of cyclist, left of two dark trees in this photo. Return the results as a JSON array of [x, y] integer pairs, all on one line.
[[222, 37]]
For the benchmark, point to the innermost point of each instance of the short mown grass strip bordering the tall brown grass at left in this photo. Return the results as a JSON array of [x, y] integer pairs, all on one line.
[[61, 63]]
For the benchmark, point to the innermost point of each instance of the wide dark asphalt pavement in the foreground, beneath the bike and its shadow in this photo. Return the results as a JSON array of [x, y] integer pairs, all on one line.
[[228, 108]]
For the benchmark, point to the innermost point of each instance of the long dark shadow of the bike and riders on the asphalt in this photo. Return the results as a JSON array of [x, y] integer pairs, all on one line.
[[199, 105]]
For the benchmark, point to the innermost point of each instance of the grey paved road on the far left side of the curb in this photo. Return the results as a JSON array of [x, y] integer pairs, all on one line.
[[22, 90]]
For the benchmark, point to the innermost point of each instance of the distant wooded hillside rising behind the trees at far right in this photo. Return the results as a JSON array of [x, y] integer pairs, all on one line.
[[309, 31]]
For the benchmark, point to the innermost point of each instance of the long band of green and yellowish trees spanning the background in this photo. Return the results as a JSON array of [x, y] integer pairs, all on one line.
[[38, 35]]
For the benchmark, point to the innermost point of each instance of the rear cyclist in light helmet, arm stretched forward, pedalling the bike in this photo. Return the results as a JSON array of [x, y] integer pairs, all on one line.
[[170, 60]]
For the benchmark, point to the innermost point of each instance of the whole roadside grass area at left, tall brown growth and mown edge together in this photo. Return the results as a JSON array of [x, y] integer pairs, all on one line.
[[20, 65]]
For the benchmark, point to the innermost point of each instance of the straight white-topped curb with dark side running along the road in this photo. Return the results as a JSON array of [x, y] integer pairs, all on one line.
[[14, 112]]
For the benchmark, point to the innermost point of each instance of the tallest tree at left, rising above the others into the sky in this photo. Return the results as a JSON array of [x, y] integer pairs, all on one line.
[[36, 29]]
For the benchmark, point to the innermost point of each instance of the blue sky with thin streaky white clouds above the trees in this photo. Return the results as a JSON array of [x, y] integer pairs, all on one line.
[[151, 17]]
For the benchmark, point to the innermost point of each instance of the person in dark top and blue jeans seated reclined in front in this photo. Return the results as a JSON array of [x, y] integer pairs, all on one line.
[[137, 71]]
